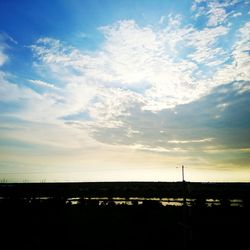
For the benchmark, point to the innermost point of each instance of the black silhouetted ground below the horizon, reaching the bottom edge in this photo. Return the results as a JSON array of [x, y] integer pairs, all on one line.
[[36, 222]]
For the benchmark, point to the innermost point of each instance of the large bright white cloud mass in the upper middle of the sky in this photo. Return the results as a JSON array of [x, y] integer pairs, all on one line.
[[136, 65]]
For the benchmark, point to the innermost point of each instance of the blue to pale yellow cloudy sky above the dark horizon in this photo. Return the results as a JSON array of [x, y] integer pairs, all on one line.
[[106, 90]]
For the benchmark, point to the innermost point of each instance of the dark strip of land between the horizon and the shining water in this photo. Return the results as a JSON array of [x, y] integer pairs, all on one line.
[[126, 189]]
